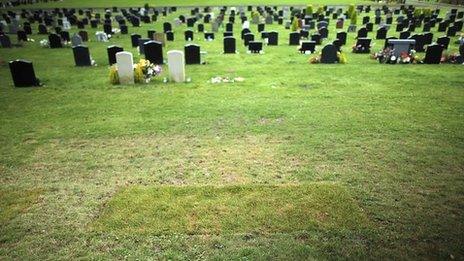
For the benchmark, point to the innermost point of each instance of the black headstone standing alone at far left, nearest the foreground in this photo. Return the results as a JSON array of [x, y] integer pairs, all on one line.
[[23, 73]]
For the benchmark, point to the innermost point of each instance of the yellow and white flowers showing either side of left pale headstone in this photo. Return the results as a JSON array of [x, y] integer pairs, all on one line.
[[144, 72]]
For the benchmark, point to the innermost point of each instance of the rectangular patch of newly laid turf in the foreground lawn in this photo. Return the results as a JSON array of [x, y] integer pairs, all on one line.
[[163, 210]]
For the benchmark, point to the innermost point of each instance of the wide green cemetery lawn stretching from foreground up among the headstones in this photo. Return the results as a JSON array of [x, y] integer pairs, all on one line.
[[298, 161]]
